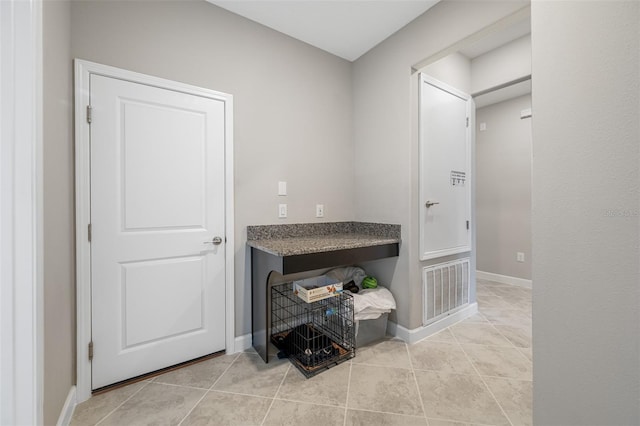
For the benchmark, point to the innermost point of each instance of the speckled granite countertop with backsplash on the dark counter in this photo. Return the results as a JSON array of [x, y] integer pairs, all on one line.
[[306, 238]]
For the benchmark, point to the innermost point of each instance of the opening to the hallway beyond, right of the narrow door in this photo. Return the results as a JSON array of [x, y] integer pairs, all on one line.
[[494, 67]]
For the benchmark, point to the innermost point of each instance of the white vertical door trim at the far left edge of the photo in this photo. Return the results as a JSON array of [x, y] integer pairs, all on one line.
[[21, 213]]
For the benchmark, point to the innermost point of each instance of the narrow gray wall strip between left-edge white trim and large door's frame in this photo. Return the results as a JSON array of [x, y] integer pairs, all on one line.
[[59, 225]]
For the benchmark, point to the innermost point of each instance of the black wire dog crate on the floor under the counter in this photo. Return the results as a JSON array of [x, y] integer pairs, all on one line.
[[314, 336]]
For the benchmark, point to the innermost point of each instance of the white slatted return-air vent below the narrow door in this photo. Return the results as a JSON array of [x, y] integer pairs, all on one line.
[[445, 289]]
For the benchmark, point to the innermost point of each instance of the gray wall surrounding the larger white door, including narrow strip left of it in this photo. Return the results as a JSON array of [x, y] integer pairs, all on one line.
[[292, 122]]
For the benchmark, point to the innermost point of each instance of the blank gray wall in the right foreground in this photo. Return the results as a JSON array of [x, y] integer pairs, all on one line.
[[586, 197]]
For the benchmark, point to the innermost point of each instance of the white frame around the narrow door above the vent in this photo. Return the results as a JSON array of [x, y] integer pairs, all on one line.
[[425, 78]]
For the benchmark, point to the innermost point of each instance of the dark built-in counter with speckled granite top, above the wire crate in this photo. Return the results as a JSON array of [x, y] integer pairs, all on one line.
[[306, 247]]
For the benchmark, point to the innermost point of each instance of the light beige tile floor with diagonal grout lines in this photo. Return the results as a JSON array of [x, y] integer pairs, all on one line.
[[476, 372]]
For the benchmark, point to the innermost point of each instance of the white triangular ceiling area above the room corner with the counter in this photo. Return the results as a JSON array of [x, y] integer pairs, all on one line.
[[345, 28]]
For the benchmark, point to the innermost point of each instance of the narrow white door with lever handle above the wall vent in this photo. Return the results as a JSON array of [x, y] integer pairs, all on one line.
[[445, 185]]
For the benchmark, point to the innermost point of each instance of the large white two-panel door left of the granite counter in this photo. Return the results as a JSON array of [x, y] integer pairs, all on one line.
[[157, 203]]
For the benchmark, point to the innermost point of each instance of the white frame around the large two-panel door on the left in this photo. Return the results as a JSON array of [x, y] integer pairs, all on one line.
[[83, 70]]
